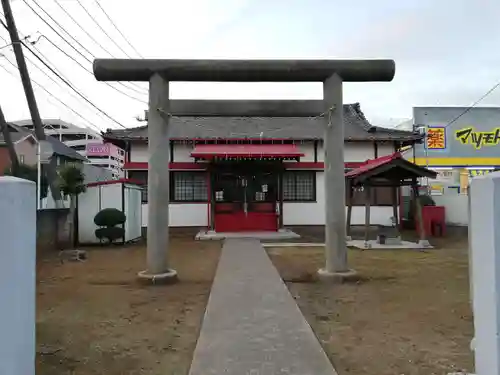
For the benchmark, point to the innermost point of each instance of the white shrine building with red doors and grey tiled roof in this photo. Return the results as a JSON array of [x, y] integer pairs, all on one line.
[[256, 165]]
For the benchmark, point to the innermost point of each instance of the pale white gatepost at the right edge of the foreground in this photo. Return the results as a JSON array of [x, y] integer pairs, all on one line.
[[485, 262]]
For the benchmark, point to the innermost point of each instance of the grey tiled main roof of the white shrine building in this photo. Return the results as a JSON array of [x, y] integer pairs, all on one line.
[[357, 128]]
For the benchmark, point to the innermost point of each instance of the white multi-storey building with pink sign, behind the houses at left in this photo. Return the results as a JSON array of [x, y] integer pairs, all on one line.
[[85, 141]]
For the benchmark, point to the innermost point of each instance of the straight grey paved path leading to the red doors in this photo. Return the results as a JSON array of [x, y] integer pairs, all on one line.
[[252, 325]]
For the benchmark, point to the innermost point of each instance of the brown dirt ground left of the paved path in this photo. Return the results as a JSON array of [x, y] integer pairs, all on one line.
[[94, 317]]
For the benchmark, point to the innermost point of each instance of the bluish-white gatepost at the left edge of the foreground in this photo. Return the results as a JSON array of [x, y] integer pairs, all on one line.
[[17, 276]]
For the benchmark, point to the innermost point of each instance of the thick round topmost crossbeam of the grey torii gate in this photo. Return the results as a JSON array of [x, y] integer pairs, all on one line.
[[244, 70]]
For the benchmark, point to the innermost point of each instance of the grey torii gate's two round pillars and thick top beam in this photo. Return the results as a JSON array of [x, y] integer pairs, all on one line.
[[160, 72]]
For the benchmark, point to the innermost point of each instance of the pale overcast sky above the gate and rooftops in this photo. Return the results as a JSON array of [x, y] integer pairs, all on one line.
[[446, 51]]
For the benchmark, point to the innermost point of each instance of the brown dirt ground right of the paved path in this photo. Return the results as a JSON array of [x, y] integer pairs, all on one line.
[[408, 314]]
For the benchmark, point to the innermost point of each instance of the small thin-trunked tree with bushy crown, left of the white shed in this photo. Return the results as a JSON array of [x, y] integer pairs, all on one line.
[[72, 184]]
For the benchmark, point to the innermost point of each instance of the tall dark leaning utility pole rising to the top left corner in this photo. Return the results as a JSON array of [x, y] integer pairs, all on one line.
[[49, 169]]
